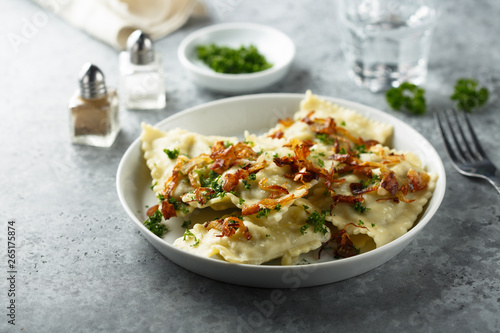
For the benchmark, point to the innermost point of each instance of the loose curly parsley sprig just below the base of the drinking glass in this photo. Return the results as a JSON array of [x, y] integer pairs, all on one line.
[[407, 97]]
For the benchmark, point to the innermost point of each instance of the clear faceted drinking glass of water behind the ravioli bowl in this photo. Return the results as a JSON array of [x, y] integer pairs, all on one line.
[[387, 42]]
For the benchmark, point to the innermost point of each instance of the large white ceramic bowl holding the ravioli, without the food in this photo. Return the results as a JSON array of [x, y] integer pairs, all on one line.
[[256, 113]]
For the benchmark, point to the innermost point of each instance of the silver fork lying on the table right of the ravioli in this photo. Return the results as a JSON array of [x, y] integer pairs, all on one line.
[[464, 148]]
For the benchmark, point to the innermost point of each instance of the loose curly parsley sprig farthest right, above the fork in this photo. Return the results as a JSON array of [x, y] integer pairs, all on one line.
[[469, 95]]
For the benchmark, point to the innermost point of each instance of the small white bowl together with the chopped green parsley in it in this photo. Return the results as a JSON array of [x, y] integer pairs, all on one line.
[[236, 58]]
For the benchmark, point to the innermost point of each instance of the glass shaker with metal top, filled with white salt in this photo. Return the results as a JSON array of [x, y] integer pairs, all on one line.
[[141, 74]]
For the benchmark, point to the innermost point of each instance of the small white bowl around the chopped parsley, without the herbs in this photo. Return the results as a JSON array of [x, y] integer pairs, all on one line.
[[277, 47]]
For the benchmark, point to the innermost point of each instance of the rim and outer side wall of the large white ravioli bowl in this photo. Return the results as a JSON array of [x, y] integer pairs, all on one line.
[[391, 249]]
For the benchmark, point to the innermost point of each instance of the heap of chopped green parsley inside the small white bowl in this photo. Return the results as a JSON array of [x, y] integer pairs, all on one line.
[[223, 59]]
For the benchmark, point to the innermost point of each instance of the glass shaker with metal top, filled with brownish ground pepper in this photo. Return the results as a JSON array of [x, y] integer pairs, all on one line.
[[93, 110]]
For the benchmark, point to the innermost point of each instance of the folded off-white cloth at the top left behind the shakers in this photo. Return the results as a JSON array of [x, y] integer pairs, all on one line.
[[112, 21]]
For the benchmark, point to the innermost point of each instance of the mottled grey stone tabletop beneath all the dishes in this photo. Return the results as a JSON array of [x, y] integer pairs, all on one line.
[[82, 266]]
